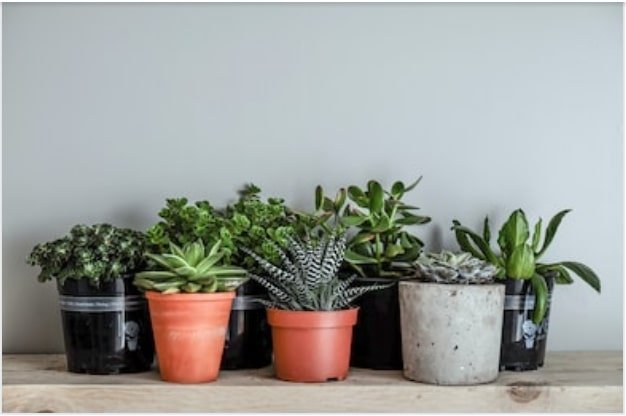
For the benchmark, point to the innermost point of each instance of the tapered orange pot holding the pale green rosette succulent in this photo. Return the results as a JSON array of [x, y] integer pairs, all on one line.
[[189, 332]]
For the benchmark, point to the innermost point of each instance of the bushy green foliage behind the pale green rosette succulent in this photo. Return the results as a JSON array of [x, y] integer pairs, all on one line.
[[250, 222]]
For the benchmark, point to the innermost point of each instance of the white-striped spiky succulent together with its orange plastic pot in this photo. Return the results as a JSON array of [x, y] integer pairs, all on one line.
[[310, 310]]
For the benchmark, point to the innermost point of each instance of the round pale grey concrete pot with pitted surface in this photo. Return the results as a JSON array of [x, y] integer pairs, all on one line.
[[451, 333]]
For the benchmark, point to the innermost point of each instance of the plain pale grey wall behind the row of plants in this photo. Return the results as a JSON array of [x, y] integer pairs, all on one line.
[[110, 108]]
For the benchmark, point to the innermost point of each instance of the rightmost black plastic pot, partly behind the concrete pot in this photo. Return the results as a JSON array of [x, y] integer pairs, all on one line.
[[523, 343]]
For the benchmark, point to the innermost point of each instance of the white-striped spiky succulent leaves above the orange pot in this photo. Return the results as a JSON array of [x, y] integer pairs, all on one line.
[[307, 279]]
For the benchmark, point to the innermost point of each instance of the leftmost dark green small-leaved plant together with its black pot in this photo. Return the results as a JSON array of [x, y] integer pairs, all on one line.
[[106, 327]]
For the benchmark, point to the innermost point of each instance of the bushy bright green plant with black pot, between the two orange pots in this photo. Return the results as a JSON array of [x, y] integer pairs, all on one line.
[[249, 222]]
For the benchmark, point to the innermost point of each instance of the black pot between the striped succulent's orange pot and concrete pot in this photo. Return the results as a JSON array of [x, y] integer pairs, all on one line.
[[377, 340]]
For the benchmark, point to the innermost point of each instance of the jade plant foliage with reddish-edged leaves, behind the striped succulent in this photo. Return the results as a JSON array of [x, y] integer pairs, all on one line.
[[381, 245]]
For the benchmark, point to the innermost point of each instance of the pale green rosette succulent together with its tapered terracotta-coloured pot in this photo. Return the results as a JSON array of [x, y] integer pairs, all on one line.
[[190, 294]]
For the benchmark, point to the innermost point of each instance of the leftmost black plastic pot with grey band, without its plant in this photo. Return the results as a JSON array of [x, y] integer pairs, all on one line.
[[106, 328]]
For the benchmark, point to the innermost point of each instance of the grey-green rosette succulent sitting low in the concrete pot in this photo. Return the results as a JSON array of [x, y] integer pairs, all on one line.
[[447, 267]]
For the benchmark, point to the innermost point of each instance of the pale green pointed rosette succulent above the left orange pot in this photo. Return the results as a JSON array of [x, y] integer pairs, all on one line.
[[190, 269]]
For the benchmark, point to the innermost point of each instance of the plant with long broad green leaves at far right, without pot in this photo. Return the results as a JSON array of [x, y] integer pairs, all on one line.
[[520, 252]]
